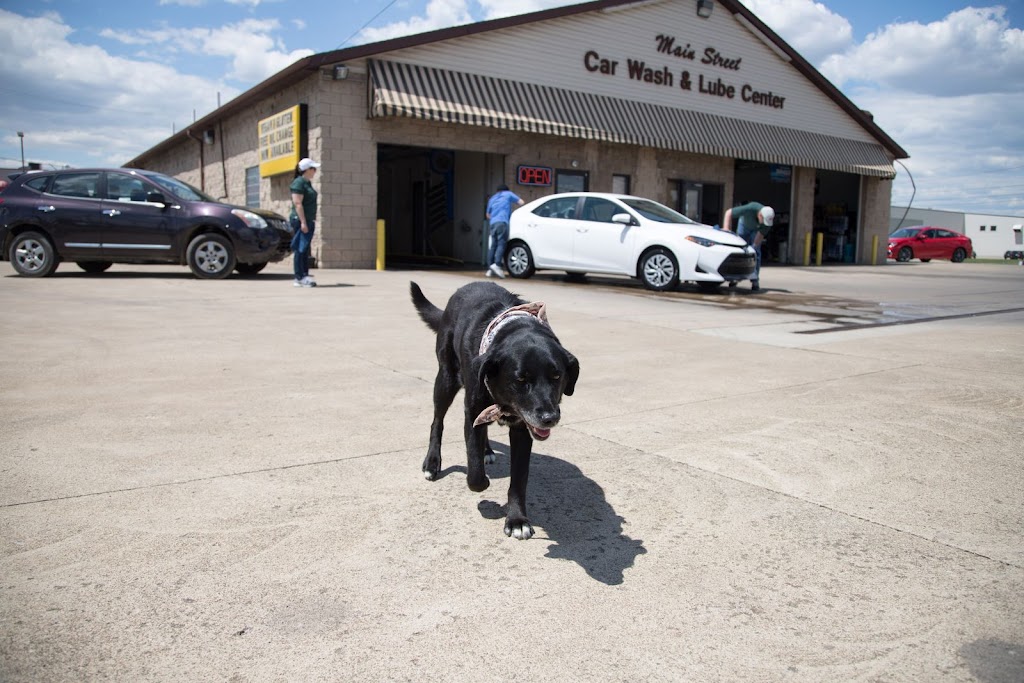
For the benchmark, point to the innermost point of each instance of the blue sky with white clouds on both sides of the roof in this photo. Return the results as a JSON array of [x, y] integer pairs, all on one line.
[[97, 83]]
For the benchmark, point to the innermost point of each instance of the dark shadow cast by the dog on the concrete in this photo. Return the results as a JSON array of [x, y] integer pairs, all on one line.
[[574, 511]]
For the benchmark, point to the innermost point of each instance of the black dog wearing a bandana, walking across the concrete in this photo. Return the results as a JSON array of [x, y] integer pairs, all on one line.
[[515, 371]]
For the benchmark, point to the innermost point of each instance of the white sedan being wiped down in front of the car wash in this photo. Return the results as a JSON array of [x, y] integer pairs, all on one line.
[[623, 235]]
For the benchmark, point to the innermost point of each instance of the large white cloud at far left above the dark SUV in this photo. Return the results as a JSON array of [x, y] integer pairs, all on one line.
[[51, 86]]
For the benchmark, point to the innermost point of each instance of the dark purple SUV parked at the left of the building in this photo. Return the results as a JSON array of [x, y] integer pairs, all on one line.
[[98, 218]]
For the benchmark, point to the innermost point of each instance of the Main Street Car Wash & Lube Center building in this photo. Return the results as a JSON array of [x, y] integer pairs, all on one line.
[[696, 104]]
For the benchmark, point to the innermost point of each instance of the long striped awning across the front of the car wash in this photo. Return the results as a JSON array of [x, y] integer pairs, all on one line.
[[400, 90]]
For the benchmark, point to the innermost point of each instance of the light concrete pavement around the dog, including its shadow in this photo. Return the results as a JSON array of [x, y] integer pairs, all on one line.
[[221, 481]]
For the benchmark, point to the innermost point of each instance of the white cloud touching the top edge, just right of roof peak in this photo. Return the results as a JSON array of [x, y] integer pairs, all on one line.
[[813, 29]]
